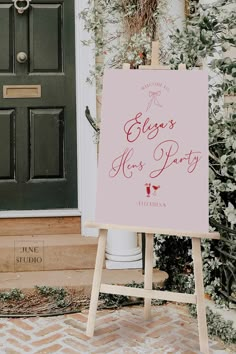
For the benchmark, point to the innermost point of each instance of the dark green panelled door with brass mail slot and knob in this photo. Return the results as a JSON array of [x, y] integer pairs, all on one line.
[[37, 105]]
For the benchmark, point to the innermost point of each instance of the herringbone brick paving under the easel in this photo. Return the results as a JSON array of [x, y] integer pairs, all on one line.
[[123, 331]]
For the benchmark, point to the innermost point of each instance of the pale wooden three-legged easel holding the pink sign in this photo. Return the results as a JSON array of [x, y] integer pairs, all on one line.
[[147, 293]]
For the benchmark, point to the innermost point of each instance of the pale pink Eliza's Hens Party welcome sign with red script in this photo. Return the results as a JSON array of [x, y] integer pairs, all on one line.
[[153, 160]]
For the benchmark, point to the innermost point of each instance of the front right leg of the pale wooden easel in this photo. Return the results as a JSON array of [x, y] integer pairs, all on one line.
[[199, 291]]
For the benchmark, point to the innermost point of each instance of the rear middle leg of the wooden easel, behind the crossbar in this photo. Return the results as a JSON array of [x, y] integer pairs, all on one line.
[[148, 274]]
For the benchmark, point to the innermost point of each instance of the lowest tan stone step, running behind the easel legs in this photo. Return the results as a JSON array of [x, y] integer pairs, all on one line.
[[81, 279]]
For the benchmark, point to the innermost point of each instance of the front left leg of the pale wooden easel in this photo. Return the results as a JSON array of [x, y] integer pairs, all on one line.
[[97, 277]]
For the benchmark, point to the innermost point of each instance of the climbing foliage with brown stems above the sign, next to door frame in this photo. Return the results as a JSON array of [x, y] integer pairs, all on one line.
[[122, 31]]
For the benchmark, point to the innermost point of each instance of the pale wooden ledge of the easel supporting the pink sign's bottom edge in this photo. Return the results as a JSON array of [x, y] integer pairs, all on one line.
[[147, 230]]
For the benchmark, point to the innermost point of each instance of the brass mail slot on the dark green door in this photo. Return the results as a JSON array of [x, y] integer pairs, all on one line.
[[21, 91]]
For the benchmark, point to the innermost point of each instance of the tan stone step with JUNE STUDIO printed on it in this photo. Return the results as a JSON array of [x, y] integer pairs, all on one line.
[[47, 252]]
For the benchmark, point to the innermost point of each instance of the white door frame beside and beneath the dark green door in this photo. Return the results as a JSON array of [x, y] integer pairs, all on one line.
[[86, 147]]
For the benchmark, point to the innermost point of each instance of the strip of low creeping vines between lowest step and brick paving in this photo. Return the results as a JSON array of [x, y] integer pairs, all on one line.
[[42, 301]]
